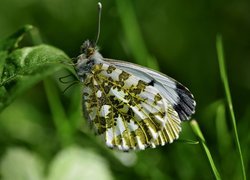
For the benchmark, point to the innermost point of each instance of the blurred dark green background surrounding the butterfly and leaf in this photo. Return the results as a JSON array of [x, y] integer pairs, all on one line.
[[177, 36]]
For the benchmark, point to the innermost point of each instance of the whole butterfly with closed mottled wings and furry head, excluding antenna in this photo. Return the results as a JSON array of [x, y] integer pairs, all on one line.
[[130, 106]]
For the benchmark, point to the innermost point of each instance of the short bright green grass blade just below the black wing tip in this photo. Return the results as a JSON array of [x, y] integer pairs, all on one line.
[[196, 129]]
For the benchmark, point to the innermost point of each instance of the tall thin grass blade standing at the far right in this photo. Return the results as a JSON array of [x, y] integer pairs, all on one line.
[[224, 79]]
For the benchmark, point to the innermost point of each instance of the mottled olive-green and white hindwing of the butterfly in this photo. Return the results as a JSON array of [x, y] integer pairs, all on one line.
[[126, 111]]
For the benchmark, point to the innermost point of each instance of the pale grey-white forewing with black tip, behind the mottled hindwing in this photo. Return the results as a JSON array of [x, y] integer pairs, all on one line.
[[178, 95]]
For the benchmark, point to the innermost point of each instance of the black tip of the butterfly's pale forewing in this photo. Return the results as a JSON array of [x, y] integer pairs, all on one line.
[[186, 104]]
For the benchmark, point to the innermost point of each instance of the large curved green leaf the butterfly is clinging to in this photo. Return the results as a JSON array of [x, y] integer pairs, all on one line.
[[25, 67]]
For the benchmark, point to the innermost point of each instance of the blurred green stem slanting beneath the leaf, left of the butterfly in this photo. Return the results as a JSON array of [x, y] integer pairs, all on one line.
[[63, 127]]
